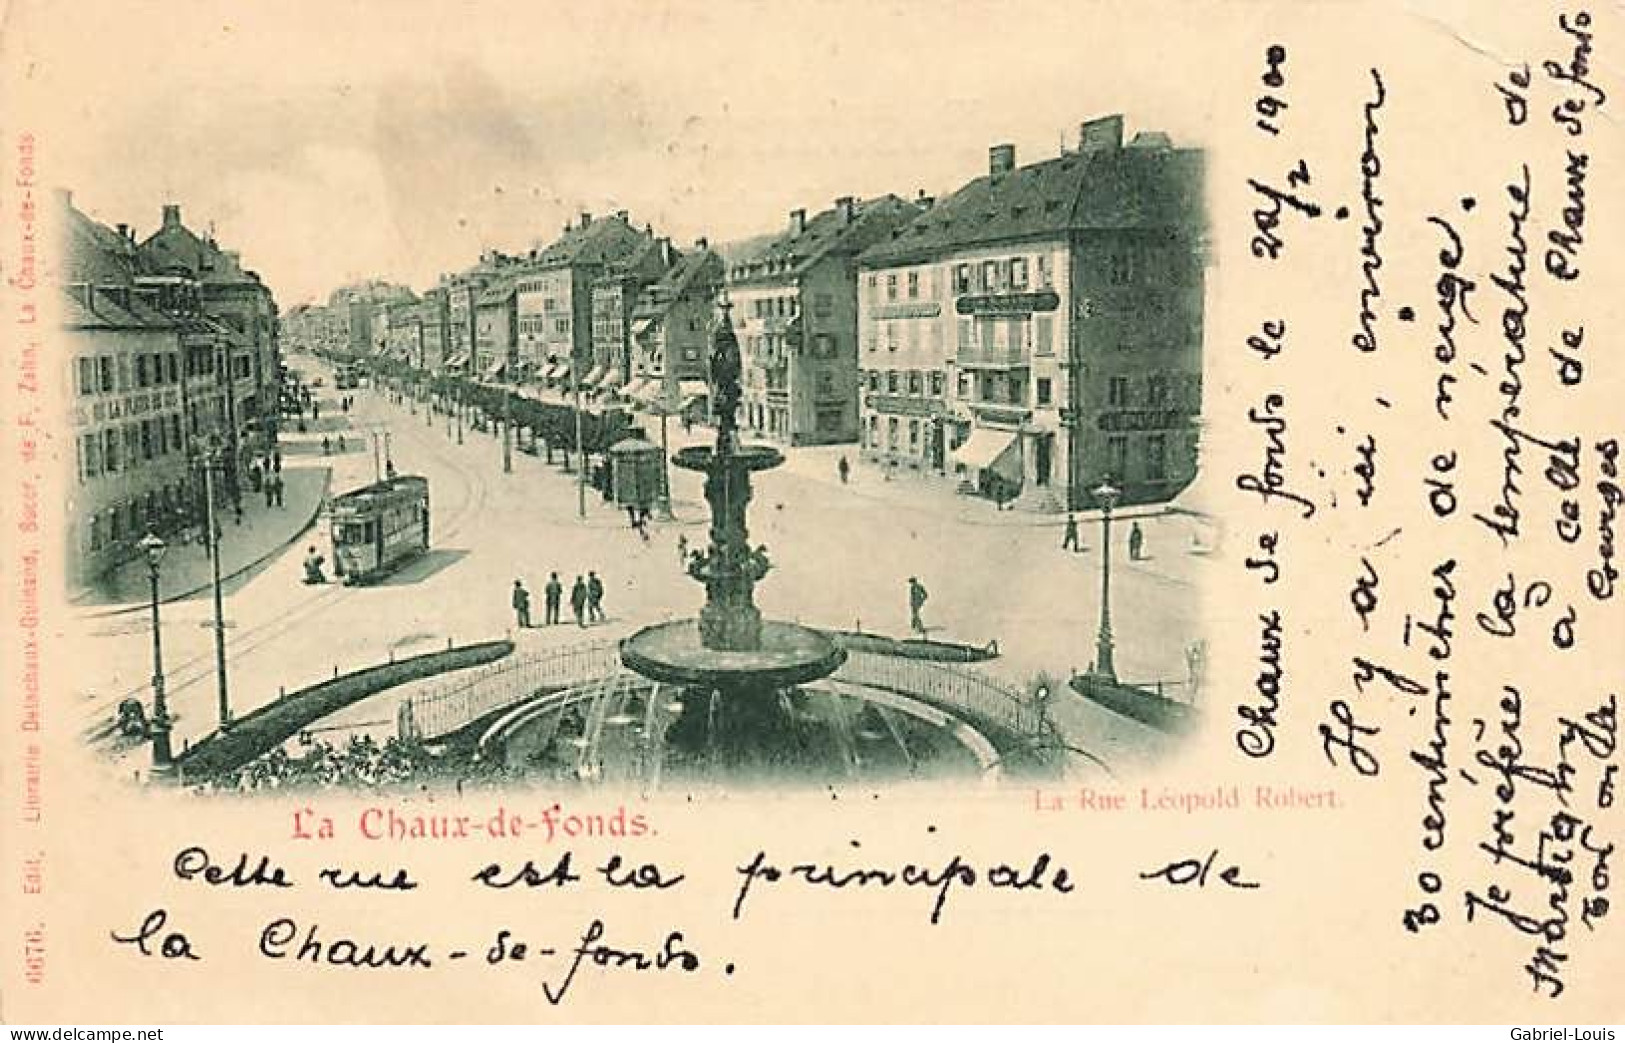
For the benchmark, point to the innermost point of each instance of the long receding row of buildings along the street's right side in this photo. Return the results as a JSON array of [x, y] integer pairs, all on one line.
[[1025, 337]]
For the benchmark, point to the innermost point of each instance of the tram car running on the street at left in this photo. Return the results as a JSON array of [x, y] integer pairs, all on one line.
[[379, 527]]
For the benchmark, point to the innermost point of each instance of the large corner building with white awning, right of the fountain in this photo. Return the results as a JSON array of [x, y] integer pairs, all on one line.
[[1041, 329]]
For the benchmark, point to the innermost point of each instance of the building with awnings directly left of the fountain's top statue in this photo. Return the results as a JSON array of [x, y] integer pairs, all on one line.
[[672, 327]]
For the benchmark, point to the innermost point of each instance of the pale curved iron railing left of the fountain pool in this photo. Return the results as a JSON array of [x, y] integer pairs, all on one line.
[[508, 683]]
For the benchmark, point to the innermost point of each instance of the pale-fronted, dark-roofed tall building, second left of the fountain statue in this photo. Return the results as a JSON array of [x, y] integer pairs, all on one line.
[[553, 296]]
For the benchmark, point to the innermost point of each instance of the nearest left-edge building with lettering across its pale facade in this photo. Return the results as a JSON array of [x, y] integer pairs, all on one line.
[[150, 384]]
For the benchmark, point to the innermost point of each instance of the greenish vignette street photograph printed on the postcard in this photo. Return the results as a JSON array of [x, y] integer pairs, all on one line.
[[664, 426]]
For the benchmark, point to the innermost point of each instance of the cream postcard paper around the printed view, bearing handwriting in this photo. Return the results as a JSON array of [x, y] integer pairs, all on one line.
[[1322, 938]]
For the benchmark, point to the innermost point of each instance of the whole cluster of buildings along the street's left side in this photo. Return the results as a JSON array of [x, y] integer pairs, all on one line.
[[171, 363]]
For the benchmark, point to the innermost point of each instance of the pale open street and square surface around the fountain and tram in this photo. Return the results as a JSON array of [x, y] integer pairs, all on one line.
[[843, 556]]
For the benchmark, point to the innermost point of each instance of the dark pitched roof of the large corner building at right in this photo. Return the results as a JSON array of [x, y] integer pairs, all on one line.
[[1142, 186]]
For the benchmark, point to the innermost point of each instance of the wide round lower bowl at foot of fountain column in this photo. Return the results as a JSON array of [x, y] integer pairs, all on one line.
[[791, 654]]
